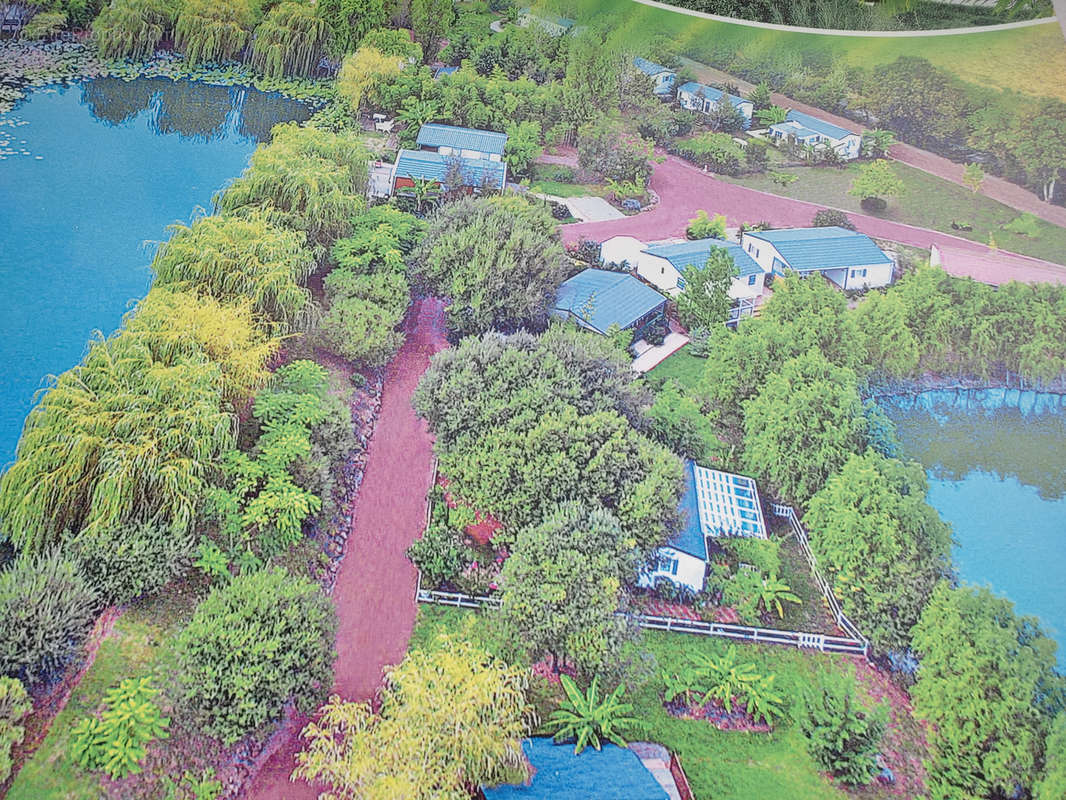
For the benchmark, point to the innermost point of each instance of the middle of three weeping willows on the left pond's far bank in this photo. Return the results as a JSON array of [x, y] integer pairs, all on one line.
[[214, 31]]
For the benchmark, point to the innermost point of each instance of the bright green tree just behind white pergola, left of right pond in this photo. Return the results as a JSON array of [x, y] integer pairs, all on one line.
[[803, 425]]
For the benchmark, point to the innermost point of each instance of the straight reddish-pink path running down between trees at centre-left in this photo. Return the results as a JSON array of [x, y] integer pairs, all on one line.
[[376, 588]]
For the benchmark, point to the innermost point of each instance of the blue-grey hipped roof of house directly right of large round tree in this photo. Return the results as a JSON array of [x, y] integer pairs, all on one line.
[[601, 299]]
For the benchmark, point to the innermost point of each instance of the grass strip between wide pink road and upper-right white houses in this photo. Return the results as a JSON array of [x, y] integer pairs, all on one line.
[[928, 202]]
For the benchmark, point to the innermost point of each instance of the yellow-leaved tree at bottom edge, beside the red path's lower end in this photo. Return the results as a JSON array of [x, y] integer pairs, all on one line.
[[453, 716]]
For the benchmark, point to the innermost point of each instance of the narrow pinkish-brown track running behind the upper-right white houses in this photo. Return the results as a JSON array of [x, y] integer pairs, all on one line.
[[998, 189]]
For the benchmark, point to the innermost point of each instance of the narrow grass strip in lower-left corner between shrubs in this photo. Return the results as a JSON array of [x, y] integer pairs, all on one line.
[[140, 644]]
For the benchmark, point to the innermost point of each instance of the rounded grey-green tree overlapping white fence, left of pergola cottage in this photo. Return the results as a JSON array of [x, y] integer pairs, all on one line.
[[562, 584]]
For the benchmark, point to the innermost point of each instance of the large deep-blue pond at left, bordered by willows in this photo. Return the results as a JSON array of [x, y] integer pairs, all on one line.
[[91, 175]]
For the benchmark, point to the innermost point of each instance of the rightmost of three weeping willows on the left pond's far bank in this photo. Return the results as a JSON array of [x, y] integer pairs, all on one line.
[[290, 41]]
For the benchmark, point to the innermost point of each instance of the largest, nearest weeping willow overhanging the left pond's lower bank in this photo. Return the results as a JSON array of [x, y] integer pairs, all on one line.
[[130, 436]]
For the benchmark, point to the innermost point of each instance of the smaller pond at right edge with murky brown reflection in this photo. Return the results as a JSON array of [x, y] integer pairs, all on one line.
[[996, 461]]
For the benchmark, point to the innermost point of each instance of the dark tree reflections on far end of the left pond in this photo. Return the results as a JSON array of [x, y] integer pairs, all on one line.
[[190, 109]]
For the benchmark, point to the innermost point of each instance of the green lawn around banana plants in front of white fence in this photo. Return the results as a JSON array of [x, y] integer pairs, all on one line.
[[720, 765]]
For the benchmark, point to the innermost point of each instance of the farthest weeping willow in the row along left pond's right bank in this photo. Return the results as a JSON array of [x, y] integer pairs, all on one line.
[[306, 180]]
